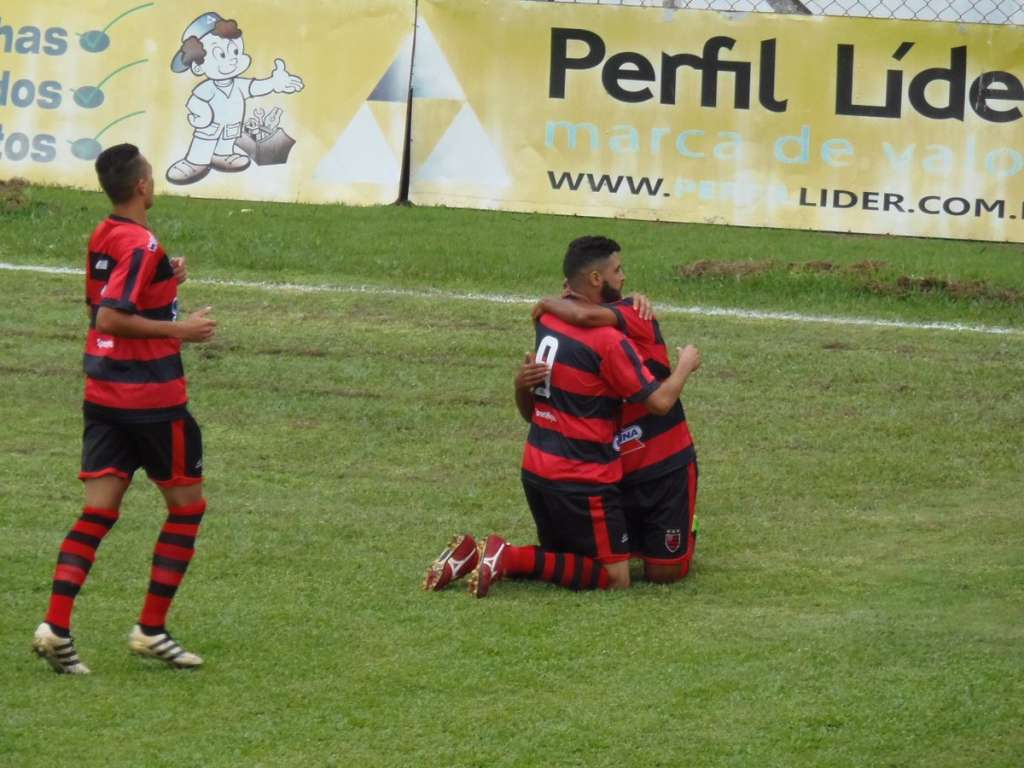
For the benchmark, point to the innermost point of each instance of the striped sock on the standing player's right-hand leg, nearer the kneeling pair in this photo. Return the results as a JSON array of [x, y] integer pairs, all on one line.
[[174, 552]]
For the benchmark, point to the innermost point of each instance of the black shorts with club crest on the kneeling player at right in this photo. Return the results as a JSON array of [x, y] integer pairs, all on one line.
[[660, 516]]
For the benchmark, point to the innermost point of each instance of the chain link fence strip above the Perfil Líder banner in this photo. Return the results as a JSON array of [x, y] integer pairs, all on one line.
[[978, 12]]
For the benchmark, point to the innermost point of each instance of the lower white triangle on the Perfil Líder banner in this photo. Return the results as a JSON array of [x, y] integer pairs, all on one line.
[[465, 154]]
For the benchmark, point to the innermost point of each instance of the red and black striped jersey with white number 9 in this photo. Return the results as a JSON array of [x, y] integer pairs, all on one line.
[[577, 410]]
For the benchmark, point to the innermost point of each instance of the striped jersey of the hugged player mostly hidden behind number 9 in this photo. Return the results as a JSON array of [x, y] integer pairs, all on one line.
[[651, 446]]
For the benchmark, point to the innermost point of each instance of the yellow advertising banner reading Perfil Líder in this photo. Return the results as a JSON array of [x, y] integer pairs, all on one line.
[[800, 122]]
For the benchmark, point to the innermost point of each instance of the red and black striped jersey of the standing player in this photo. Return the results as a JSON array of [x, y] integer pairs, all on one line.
[[132, 380]]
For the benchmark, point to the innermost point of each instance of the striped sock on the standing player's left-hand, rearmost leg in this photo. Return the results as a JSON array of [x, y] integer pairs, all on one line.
[[78, 552]]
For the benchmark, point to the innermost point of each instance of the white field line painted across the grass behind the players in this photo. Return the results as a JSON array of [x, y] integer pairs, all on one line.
[[706, 312]]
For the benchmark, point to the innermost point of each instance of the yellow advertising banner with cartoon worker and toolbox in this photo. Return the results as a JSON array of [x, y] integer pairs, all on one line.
[[254, 100]]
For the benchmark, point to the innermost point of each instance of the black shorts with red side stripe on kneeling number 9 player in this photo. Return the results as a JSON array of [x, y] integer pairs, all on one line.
[[581, 524]]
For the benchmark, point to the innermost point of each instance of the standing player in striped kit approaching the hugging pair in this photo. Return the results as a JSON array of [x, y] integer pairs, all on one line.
[[136, 414]]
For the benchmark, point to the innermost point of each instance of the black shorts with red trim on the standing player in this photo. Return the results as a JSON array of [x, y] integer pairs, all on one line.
[[172, 452]]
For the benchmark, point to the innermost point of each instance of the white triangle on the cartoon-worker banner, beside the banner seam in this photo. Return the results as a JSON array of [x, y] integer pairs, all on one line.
[[361, 155]]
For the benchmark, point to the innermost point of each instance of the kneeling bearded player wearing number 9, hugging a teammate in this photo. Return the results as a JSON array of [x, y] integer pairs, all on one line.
[[572, 392]]
